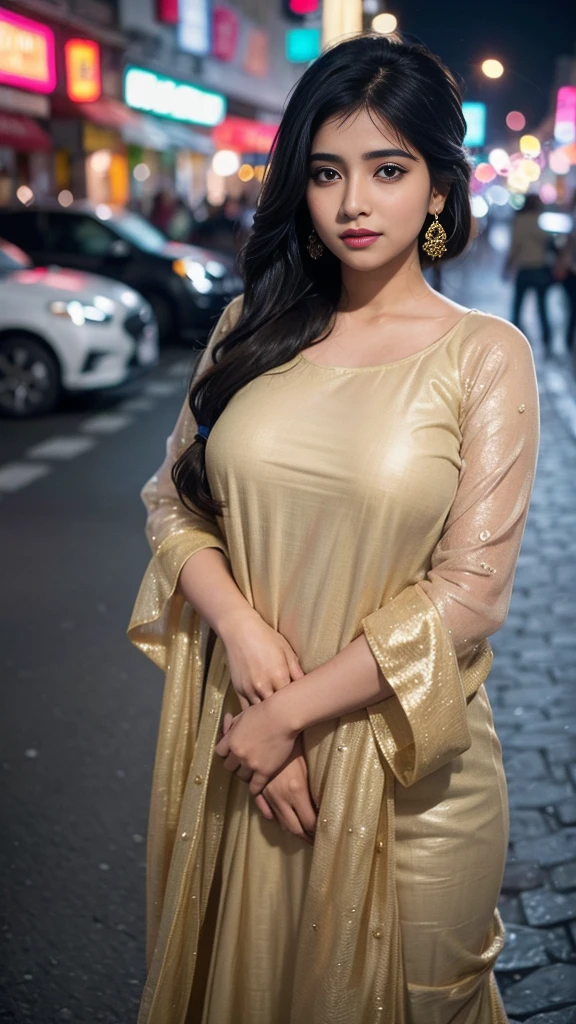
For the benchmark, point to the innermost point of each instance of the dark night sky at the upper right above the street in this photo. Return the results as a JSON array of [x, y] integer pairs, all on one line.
[[526, 37]]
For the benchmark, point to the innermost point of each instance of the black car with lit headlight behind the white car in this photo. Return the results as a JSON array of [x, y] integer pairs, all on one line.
[[187, 286]]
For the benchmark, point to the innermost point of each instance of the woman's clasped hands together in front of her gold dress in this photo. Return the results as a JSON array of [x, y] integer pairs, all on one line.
[[259, 744]]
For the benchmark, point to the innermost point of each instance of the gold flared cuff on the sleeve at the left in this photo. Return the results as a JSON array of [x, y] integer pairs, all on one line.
[[157, 604]]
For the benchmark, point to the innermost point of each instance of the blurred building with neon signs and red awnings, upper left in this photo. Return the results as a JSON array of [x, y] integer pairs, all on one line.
[[117, 100]]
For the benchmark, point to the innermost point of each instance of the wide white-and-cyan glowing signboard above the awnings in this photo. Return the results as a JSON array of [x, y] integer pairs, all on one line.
[[145, 91]]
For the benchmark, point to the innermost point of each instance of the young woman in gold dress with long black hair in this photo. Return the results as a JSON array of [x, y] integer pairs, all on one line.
[[336, 532]]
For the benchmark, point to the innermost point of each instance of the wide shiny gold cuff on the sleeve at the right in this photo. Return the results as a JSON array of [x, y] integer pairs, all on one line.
[[425, 724]]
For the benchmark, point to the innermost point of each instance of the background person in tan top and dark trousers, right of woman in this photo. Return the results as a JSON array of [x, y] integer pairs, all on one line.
[[528, 261]]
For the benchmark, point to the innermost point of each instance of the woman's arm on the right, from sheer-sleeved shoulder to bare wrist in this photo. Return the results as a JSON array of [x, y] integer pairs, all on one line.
[[474, 565]]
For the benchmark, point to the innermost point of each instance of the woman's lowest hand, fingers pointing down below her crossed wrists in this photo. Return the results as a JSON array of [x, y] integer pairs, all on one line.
[[287, 797]]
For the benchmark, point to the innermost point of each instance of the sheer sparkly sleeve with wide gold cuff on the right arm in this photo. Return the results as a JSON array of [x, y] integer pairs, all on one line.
[[431, 641]]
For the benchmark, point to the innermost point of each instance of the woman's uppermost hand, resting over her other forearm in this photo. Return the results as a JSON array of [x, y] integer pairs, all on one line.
[[260, 659]]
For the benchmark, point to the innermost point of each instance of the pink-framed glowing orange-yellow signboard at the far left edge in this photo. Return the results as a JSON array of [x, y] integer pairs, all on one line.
[[27, 54]]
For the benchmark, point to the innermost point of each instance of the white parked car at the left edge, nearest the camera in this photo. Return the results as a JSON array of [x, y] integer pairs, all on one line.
[[66, 331]]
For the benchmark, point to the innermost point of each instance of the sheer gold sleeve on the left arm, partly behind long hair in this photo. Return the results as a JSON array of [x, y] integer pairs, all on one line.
[[174, 532]]
